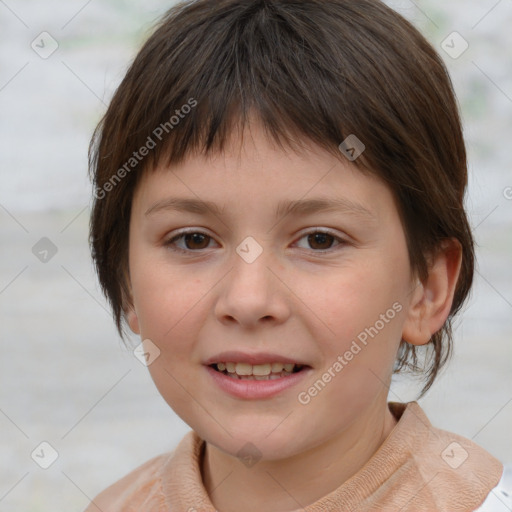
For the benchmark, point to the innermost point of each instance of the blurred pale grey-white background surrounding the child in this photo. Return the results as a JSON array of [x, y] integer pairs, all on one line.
[[66, 379]]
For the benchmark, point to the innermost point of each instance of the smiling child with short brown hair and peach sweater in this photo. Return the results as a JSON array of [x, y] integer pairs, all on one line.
[[313, 152]]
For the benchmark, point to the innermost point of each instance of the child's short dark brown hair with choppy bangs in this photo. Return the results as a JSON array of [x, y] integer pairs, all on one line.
[[315, 70]]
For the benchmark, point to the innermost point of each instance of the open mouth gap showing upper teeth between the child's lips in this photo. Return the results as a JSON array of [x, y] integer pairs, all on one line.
[[260, 372]]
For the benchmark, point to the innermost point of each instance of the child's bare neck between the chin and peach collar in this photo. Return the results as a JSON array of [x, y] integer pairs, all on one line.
[[299, 481]]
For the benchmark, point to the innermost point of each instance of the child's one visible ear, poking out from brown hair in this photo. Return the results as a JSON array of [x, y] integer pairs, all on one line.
[[432, 299]]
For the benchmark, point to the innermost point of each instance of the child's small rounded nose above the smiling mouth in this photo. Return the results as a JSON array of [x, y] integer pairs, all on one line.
[[252, 294]]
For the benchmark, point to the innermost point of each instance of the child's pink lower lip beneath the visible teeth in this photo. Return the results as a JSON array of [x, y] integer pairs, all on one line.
[[255, 389]]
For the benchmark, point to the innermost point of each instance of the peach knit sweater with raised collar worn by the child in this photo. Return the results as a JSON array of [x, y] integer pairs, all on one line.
[[418, 468]]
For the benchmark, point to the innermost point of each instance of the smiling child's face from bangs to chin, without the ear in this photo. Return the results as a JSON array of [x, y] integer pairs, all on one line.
[[256, 260]]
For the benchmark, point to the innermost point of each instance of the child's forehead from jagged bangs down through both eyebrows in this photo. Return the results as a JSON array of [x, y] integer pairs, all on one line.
[[255, 173]]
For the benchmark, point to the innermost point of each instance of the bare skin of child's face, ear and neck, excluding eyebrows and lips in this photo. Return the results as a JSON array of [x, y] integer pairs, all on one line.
[[300, 299]]
